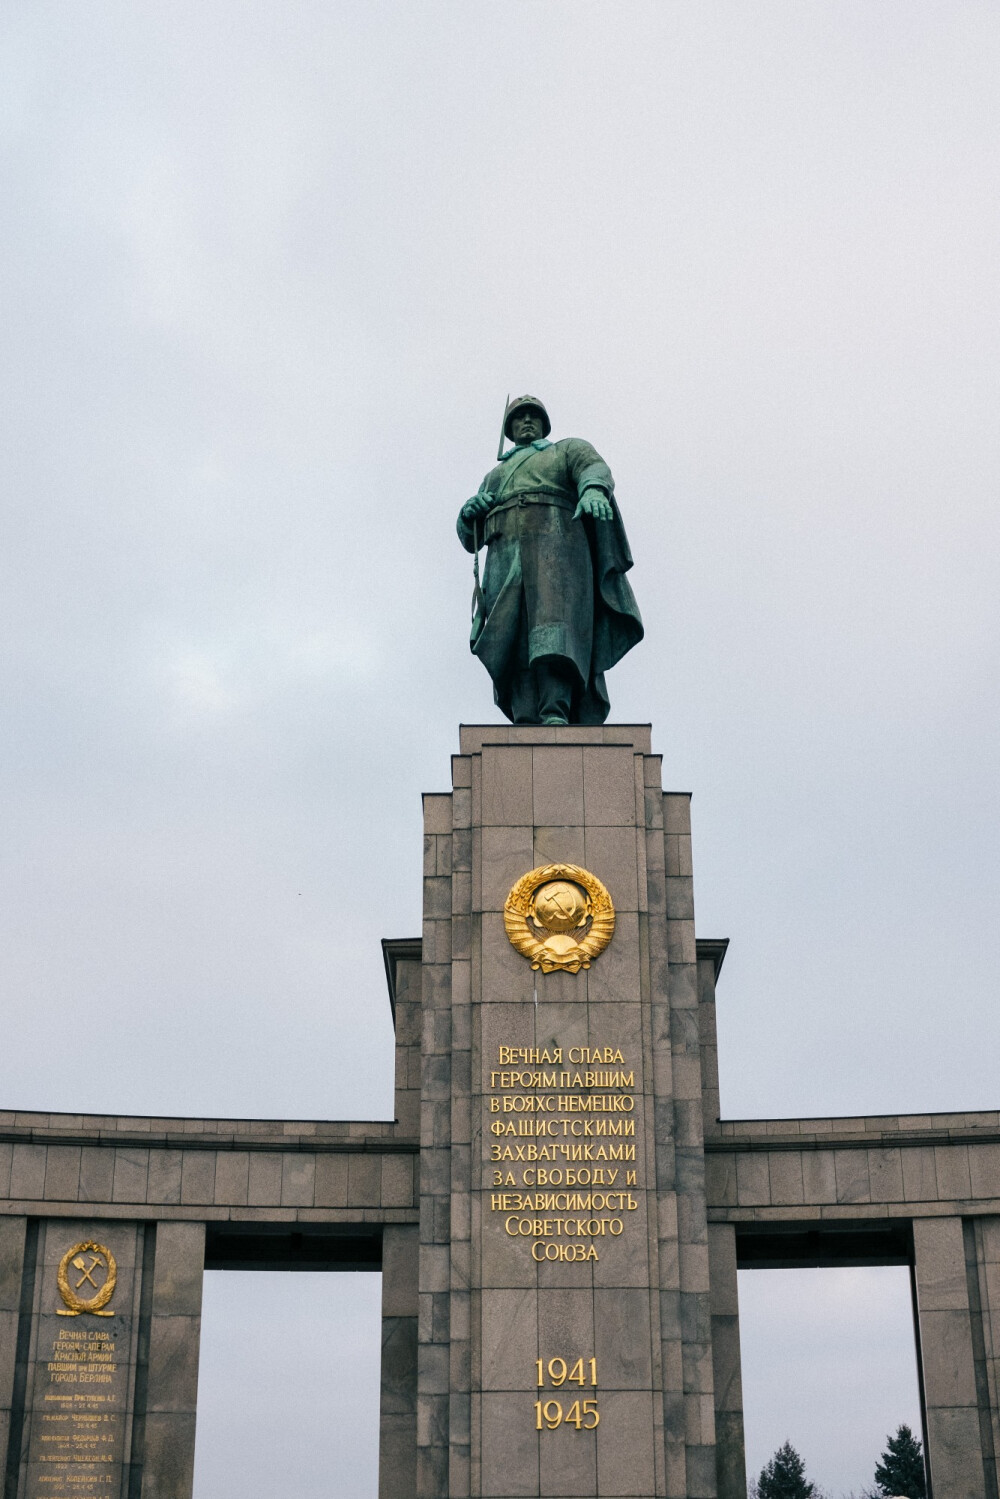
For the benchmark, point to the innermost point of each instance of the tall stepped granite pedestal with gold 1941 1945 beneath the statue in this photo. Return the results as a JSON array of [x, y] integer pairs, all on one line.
[[564, 1320]]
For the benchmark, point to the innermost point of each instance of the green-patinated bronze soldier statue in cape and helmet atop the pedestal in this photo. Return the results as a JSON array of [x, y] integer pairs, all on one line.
[[555, 609]]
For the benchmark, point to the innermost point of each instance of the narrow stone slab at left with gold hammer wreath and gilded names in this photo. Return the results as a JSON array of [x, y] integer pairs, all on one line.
[[82, 1374]]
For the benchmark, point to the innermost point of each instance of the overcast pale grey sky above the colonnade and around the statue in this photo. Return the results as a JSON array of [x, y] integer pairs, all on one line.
[[269, 274]]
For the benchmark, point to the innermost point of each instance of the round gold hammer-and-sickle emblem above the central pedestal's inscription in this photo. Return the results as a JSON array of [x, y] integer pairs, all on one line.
[[560, 917]]
